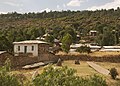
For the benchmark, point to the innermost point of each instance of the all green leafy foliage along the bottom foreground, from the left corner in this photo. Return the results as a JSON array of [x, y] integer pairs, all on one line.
[[51, 76]]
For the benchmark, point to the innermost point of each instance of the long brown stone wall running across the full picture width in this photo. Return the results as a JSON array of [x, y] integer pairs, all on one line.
[[21, 61]]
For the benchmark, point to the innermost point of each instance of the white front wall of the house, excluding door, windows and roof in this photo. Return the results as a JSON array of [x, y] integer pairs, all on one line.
[[29, 48]]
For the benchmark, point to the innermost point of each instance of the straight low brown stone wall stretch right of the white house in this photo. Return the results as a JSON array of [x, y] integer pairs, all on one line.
[[111, 58]]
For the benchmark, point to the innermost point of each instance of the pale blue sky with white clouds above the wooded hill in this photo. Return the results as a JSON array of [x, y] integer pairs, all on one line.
[[25, 6]]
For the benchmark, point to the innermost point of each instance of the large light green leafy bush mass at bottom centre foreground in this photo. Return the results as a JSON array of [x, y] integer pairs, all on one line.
[[65, 76]]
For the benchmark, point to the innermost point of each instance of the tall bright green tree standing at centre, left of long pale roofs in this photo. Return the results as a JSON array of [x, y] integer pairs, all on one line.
[[66, 42]]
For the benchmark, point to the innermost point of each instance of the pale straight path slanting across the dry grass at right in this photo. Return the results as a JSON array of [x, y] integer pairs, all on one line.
[[98, 68]]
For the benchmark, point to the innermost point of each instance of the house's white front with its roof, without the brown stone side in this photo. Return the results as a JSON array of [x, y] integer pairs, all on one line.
[[31, 47]]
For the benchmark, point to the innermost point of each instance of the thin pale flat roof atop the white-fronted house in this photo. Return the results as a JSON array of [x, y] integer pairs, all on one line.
[[30, 42]]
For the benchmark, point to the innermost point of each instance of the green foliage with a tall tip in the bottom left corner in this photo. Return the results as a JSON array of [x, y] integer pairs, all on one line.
[[6, 78]]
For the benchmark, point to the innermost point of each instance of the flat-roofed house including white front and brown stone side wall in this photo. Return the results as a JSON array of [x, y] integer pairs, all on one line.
[[33, 48]]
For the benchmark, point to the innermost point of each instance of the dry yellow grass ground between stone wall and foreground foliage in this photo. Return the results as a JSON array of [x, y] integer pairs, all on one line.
[[83, 70]]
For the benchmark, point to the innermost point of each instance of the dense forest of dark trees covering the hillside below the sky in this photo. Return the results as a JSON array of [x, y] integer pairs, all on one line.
[[18, 27]]
